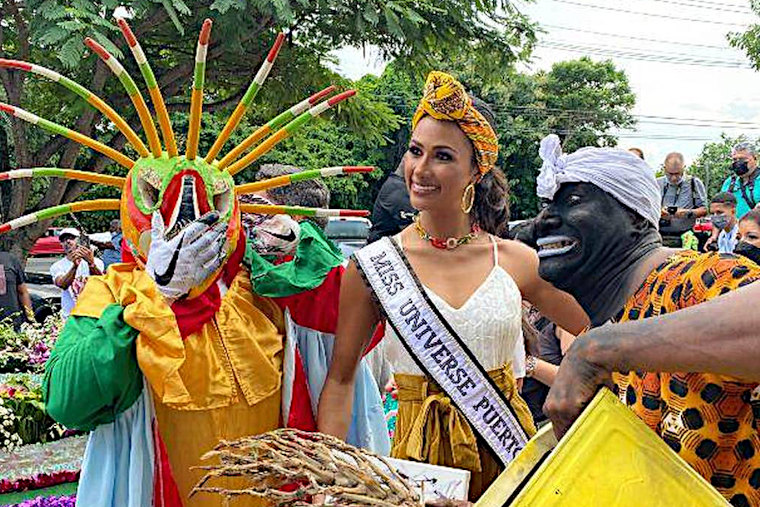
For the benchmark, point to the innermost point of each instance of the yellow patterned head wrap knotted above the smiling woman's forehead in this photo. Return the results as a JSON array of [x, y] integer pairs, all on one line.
[[444, 98]]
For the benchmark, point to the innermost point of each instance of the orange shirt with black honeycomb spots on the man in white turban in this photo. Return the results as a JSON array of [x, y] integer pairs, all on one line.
[[711, 421]]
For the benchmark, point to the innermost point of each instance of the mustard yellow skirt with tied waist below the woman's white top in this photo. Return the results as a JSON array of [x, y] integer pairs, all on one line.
[[430, 429]]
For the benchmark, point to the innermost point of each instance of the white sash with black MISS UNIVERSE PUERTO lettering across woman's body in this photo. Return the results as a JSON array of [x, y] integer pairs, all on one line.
[[437, 349]]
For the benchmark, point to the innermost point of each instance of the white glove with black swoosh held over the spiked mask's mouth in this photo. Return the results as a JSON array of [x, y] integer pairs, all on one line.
[[187, 260]]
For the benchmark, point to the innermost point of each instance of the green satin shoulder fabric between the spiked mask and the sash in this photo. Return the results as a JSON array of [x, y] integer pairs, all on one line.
[[315, 257]]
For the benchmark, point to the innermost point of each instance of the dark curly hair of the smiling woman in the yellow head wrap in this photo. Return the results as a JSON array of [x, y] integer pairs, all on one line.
[[491, 207]]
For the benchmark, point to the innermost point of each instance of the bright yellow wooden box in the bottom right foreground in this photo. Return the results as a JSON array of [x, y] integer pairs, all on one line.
[[608, 458]]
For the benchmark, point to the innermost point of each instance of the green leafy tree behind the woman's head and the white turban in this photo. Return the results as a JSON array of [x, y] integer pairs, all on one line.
[[580, 100]]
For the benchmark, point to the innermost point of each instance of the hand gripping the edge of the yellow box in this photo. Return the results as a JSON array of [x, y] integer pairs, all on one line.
[[577, 381]]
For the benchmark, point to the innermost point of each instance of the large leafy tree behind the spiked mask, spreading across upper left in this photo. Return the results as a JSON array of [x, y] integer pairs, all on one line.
[[50, 33]]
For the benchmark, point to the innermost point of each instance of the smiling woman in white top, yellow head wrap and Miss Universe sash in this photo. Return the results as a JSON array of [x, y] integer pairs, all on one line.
[[452, 294]]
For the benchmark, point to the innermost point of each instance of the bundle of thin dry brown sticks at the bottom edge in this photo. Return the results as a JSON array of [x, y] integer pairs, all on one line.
[[295, 468]]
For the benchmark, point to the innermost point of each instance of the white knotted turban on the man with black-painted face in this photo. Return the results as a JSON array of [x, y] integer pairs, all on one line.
[[618, 172]]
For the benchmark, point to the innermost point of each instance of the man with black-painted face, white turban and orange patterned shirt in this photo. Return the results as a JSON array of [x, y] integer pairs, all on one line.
[[598, 240]]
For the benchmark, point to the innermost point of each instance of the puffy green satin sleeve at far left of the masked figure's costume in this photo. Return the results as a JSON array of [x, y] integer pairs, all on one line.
[[92, 374]]
